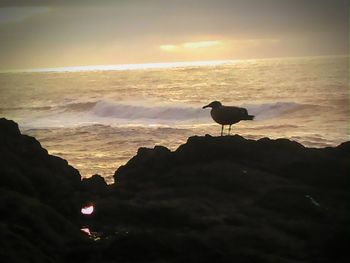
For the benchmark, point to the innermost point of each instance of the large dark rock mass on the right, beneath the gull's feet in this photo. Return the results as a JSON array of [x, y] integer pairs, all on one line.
[[242, 200]]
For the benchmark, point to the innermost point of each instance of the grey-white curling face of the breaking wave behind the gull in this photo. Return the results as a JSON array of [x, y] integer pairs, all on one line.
[[141, 110]]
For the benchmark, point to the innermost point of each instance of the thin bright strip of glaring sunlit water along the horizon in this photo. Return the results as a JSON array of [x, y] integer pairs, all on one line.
[[151, 65]]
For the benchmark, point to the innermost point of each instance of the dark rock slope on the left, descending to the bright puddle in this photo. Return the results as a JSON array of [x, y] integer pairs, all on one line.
[[38, 204]]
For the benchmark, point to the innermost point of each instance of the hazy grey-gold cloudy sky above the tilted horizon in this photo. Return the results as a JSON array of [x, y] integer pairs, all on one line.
[[40, 34]]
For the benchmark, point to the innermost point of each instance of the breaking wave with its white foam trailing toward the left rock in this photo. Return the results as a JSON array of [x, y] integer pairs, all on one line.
[[107, 112]]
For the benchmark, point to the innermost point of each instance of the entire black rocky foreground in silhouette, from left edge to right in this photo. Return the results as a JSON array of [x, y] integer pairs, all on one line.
[[214, 199]]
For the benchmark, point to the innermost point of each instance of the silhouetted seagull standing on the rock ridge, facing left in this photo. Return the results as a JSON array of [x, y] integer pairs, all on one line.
[[227, 115]]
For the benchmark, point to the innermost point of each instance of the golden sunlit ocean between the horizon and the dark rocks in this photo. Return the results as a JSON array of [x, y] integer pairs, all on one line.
[[97, 117]]
